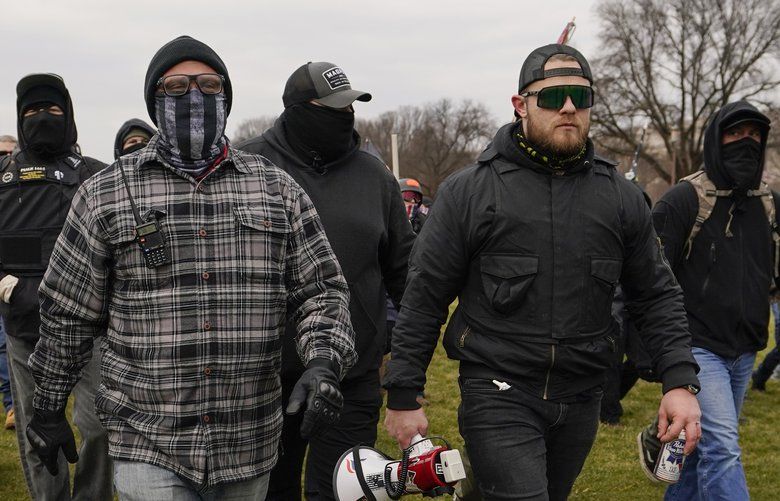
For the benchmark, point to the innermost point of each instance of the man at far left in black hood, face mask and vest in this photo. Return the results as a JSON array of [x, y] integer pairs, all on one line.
[[37, 183]]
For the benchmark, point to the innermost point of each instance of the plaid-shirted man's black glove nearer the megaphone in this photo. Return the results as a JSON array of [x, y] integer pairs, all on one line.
[[318, 388]]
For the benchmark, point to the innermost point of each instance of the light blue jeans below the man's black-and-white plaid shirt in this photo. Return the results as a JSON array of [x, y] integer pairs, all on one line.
[[136, 481]]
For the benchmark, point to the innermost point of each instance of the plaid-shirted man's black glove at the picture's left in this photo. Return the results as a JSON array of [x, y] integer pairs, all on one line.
[[48, 432]]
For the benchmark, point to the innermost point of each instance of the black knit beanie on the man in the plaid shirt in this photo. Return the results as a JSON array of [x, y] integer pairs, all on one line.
[[180, 49]]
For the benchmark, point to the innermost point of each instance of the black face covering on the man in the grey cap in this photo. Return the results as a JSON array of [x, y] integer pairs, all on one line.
[[319, 132]]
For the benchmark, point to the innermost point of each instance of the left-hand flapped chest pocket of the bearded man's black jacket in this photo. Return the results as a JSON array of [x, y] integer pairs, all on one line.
[[506, 280]]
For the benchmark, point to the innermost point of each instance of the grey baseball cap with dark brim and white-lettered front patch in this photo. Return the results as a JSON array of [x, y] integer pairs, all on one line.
[[325, 82]]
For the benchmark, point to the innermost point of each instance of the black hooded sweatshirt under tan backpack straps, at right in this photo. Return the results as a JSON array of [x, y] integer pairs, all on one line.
[[725, 280]]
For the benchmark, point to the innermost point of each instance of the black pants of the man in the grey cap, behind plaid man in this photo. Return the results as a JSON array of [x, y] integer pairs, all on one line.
[[357, 425]]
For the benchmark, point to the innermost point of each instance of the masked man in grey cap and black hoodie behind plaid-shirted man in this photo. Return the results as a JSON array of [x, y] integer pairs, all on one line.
[[361, 209]]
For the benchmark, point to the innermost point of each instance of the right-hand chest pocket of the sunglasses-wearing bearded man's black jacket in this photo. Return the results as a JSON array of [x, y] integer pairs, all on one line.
[[601, 279]]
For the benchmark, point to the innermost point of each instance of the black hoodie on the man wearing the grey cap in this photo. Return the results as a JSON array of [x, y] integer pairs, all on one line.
[[362, 211]]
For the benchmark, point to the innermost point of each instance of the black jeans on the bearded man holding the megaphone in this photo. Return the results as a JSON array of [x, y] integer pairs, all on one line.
[[523, 447]]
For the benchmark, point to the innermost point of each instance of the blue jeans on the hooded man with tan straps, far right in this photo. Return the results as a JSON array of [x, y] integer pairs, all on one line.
[[714, 471]]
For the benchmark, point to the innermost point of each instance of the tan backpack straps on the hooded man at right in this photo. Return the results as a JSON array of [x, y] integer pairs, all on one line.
[[707, 194]]
